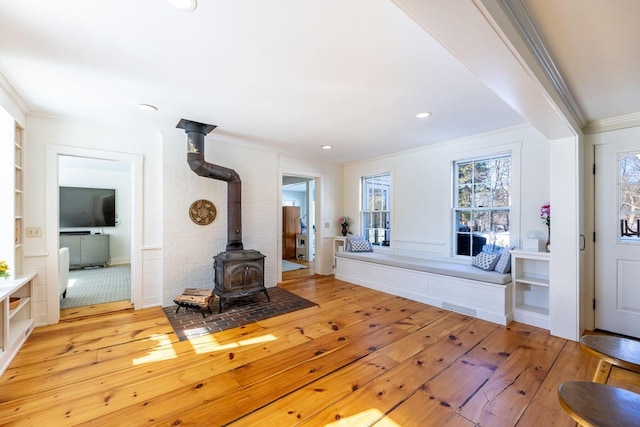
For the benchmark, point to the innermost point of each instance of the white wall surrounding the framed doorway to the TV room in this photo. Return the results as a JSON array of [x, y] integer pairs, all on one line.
[[43, 132]]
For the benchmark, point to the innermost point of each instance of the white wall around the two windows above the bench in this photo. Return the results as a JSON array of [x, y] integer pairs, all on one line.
[[422, 190]]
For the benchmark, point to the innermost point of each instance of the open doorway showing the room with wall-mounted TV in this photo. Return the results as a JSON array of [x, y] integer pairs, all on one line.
[[99, 247]]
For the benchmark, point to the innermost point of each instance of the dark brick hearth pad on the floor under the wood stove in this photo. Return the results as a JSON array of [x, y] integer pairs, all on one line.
[[236, 312]]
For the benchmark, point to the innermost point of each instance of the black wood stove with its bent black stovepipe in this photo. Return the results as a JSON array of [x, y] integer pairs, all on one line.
[[238, 271]]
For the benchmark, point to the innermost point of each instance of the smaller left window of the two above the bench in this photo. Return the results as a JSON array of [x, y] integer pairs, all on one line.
[[375, 208]]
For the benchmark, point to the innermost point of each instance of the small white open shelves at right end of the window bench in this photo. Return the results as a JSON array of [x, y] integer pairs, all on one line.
[[530, 276]]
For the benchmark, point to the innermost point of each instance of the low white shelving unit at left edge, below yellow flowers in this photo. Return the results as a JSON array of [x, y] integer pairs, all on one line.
[[16, 324]]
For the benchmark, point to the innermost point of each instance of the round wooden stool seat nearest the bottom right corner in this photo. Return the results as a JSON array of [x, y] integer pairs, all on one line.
[[593, 404]]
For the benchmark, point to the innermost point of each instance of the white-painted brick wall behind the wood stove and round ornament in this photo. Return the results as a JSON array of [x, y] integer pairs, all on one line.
[[188, 249]]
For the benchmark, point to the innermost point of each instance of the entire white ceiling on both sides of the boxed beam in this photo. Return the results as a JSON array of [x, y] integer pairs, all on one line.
[[289, 74]]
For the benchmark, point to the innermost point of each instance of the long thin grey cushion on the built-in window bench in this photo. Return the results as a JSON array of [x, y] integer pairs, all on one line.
[[464, 271]]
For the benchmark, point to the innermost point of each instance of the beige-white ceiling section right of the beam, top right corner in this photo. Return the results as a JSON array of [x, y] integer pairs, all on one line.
[[596, 46]]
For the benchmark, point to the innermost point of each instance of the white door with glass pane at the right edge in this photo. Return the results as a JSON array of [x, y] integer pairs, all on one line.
[[617, 247]]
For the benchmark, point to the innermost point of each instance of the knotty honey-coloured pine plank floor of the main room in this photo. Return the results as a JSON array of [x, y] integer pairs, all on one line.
[[360, 357]]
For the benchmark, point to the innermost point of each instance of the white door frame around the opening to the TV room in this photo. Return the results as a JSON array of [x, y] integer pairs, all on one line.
[[52, 219]]
